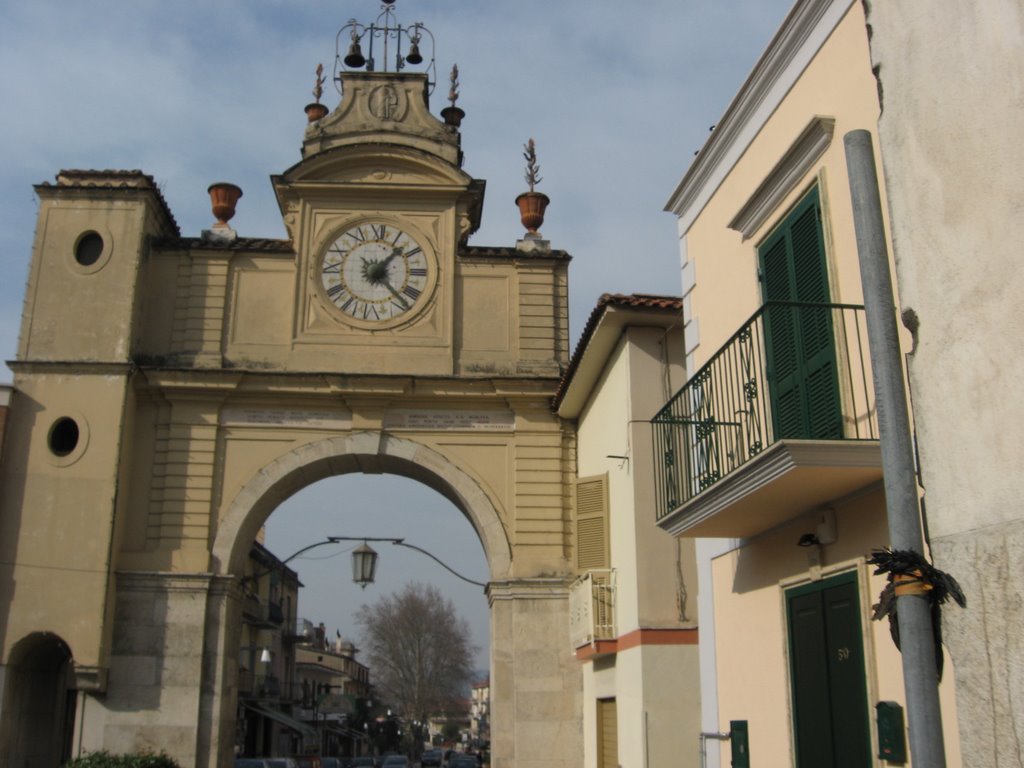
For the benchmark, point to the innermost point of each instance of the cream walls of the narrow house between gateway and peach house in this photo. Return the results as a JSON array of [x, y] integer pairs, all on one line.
[[656, 688]]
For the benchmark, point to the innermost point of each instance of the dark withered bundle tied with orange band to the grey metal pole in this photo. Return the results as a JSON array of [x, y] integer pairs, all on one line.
[[910, 574]]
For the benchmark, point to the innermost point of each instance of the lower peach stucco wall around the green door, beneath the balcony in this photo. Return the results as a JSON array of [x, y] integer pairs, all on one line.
[[752, 636]]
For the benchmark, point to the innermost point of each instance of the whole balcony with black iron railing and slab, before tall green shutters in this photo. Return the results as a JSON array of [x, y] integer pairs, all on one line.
[[780, 421]]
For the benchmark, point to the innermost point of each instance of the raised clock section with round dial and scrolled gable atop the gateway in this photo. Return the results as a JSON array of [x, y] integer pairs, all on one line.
[[379, 210]]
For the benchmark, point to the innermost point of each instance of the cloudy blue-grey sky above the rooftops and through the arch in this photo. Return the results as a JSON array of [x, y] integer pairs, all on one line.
[[618, 97]]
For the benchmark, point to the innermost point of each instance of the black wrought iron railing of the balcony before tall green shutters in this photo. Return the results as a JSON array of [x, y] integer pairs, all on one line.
[[794, 371]]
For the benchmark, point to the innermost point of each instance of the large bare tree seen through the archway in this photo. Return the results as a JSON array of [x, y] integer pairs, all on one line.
[[418, 650]]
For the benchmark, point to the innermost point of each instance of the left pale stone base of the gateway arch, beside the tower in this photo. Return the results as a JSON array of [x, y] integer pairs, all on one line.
[[166, 681]]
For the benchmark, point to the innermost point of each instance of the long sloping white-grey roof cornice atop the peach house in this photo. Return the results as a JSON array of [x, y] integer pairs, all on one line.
[[802, 34]]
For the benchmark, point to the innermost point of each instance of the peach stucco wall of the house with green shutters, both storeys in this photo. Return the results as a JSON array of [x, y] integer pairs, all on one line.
[[750, 649]]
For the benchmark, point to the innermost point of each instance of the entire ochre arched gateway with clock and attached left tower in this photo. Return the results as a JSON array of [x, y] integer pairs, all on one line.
[[170, 392]]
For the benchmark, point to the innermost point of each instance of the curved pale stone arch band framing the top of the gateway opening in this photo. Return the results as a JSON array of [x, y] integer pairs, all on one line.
[[371, 453]]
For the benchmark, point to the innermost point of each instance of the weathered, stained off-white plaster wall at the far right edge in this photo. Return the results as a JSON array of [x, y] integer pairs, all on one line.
[[954, 96]]
